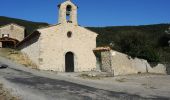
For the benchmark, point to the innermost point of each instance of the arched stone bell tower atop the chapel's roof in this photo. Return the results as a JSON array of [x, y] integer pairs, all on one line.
[[67, 13]]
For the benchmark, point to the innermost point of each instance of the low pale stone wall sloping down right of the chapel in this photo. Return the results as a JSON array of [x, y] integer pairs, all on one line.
[[122, 64]]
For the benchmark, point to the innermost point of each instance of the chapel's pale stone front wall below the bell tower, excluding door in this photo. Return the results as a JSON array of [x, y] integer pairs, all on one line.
[[55, 44]]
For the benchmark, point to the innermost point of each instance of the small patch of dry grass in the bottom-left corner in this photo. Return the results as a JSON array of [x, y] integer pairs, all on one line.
[[5, 94]]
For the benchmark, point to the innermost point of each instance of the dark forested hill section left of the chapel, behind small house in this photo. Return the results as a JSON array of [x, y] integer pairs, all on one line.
[[29, 25]]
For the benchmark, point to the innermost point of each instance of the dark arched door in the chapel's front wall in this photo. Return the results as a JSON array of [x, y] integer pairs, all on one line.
[[69, 62]]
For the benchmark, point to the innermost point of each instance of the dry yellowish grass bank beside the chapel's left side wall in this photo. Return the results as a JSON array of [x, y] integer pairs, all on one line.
[[17, 57]]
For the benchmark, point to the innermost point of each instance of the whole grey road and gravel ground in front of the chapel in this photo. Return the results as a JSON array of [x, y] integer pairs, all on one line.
[[37, 85]]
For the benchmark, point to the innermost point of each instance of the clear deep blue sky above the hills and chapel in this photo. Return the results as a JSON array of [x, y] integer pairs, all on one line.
[[92, 12]]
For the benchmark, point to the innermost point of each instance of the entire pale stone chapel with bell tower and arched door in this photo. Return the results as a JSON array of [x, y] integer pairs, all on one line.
[[65, 47]]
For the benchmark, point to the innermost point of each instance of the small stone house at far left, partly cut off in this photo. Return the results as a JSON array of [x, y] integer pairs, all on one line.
[[11, 35]]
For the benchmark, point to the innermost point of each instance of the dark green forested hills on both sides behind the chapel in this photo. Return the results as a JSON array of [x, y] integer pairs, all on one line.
[[146, 41]]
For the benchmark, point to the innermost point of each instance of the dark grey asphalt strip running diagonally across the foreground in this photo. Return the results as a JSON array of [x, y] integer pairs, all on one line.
[[72, 91]]
